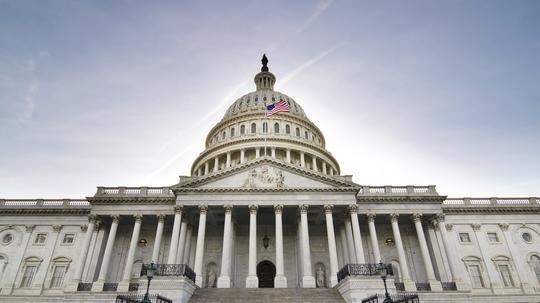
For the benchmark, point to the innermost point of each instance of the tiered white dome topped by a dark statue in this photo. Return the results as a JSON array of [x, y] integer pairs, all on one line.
[[245, 134]]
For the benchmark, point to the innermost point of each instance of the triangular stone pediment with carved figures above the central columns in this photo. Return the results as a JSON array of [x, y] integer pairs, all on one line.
[[266, 173]]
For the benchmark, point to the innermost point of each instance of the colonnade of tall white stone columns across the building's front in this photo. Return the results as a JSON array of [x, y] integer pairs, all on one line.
[[352, 251]]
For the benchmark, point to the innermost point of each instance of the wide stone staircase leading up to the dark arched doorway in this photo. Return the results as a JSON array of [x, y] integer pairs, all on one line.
[[266, 295]]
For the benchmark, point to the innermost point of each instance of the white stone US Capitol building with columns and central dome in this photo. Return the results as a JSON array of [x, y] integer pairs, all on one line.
[[266, 206]]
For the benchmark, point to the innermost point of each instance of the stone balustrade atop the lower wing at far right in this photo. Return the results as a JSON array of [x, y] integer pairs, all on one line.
[[490, 202]]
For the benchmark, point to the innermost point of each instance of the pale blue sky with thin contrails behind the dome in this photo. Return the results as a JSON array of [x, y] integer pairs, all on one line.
[[406, 92]]
